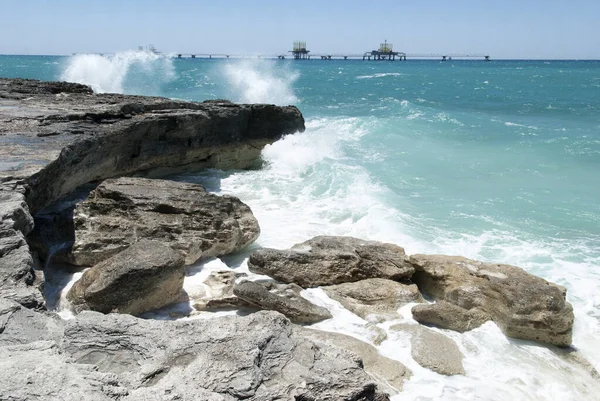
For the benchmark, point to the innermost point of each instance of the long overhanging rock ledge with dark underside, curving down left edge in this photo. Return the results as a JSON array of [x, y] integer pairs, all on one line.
[[57, 136]]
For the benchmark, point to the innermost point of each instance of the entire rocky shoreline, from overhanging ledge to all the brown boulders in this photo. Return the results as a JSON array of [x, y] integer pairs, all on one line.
[[136, 234]]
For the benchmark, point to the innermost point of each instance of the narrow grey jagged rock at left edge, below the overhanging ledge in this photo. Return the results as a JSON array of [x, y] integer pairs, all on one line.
[[18, 279]]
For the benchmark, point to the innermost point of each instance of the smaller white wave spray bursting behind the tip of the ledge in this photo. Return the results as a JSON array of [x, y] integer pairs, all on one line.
[[260, 81]]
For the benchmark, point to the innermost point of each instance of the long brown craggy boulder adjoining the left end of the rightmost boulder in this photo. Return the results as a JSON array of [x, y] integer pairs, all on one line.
[[332, 260]]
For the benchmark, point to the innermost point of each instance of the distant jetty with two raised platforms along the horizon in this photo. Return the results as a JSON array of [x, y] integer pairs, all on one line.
[[384, 52]]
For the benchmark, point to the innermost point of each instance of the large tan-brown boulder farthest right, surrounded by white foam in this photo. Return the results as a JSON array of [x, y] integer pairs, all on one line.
[[522, 305]]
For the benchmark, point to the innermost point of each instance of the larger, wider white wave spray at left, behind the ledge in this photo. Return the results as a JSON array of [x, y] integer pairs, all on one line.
[[109, 73]]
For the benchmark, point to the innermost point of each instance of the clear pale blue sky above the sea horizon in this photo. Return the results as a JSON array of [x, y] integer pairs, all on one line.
[[519, 29]]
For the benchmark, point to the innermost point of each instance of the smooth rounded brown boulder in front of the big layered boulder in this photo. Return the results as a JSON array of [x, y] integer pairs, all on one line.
[[146, 276]]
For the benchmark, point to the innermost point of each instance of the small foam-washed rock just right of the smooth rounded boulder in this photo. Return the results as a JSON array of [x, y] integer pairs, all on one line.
[[219, 292]]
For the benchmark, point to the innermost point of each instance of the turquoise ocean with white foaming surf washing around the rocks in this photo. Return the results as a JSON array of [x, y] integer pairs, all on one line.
[[497, 161]]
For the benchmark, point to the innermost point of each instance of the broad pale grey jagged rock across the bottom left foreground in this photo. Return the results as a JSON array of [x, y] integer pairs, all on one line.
[[105, 357]]
